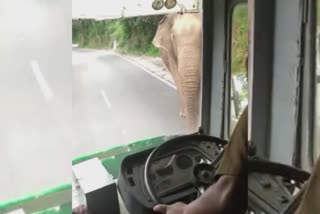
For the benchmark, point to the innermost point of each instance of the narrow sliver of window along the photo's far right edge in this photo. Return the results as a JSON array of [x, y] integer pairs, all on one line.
[[317, 122]]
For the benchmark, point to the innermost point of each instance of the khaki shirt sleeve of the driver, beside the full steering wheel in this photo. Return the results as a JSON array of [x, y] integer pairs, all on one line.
[[236, 152]]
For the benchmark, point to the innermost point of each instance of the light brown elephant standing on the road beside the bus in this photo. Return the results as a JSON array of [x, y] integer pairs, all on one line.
[[178, 38]]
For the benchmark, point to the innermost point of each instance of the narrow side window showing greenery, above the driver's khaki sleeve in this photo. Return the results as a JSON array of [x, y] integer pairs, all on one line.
[[238, 78]]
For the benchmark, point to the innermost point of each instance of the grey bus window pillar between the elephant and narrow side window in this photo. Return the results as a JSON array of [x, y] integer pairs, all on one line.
[[214, 66]]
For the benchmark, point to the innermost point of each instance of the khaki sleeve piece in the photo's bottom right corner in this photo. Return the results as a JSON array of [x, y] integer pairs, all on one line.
[[310, 200]]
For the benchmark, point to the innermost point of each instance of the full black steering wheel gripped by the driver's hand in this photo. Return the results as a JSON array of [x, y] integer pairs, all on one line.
[[203, 172]]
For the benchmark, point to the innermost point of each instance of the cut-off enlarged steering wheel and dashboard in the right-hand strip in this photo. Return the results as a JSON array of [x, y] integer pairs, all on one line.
[[272, 186]]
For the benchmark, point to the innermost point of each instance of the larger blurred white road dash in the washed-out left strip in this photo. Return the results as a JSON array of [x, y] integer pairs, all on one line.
[[44, 87]]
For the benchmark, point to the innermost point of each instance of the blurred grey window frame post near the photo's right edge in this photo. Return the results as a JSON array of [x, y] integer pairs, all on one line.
[[308, 110]]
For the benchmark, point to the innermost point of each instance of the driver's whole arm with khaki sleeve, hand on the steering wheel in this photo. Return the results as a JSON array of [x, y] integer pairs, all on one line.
[[229, 193]]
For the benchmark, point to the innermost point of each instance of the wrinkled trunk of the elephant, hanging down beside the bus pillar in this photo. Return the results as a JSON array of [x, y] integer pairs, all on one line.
[[189, 71]]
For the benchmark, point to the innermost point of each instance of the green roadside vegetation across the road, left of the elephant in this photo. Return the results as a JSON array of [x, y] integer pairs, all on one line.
[[133, 35]]
